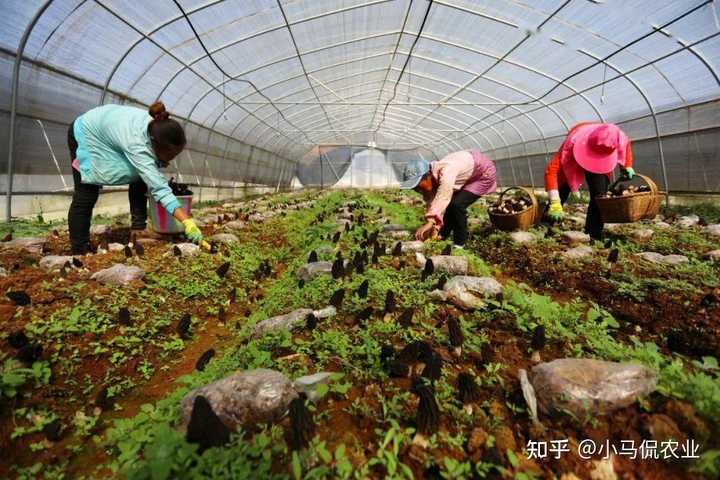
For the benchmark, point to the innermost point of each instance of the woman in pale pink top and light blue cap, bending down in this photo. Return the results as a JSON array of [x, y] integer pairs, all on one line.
[[450, 186]]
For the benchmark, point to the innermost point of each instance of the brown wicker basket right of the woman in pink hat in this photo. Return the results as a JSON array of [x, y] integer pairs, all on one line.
[[632, 207]]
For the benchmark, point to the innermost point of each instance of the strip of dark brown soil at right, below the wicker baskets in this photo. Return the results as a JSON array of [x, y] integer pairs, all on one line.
[[681, 321]]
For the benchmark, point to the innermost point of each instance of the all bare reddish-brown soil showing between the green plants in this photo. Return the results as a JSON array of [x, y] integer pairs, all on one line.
[[507, 345]]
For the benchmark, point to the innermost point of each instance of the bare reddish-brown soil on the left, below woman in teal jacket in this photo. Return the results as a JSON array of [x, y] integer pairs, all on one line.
[[65, 395]]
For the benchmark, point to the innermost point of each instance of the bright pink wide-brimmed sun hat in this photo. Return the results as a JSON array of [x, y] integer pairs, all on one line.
[[597, 147]]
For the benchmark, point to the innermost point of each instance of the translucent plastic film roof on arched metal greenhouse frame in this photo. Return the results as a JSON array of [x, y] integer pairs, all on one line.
[[284, 76]]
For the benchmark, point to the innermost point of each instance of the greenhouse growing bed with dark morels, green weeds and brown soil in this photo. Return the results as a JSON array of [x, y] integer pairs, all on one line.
[[313, 343]]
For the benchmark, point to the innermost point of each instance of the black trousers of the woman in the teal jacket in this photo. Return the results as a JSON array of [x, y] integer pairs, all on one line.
[[84, 198]]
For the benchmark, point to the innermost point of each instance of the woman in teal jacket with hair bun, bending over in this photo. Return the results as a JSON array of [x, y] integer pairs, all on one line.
[[119, 145]]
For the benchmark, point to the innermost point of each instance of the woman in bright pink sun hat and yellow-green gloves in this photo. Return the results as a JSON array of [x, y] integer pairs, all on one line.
[[590, 152]]
